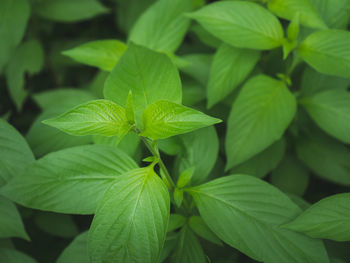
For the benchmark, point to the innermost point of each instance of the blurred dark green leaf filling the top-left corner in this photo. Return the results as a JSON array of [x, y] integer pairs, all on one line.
[[13, 14]]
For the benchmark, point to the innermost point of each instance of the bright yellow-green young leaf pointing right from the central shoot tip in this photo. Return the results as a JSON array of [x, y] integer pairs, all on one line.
[[164, 119]]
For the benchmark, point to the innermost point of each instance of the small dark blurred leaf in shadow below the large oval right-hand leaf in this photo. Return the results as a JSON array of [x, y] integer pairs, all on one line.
[[290, 176]]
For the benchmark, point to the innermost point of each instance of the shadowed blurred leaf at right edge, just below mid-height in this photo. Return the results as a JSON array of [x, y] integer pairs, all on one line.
[[326, 157]]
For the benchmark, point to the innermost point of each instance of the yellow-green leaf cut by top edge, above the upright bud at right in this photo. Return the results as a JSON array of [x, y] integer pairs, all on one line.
[[287, 9]]
